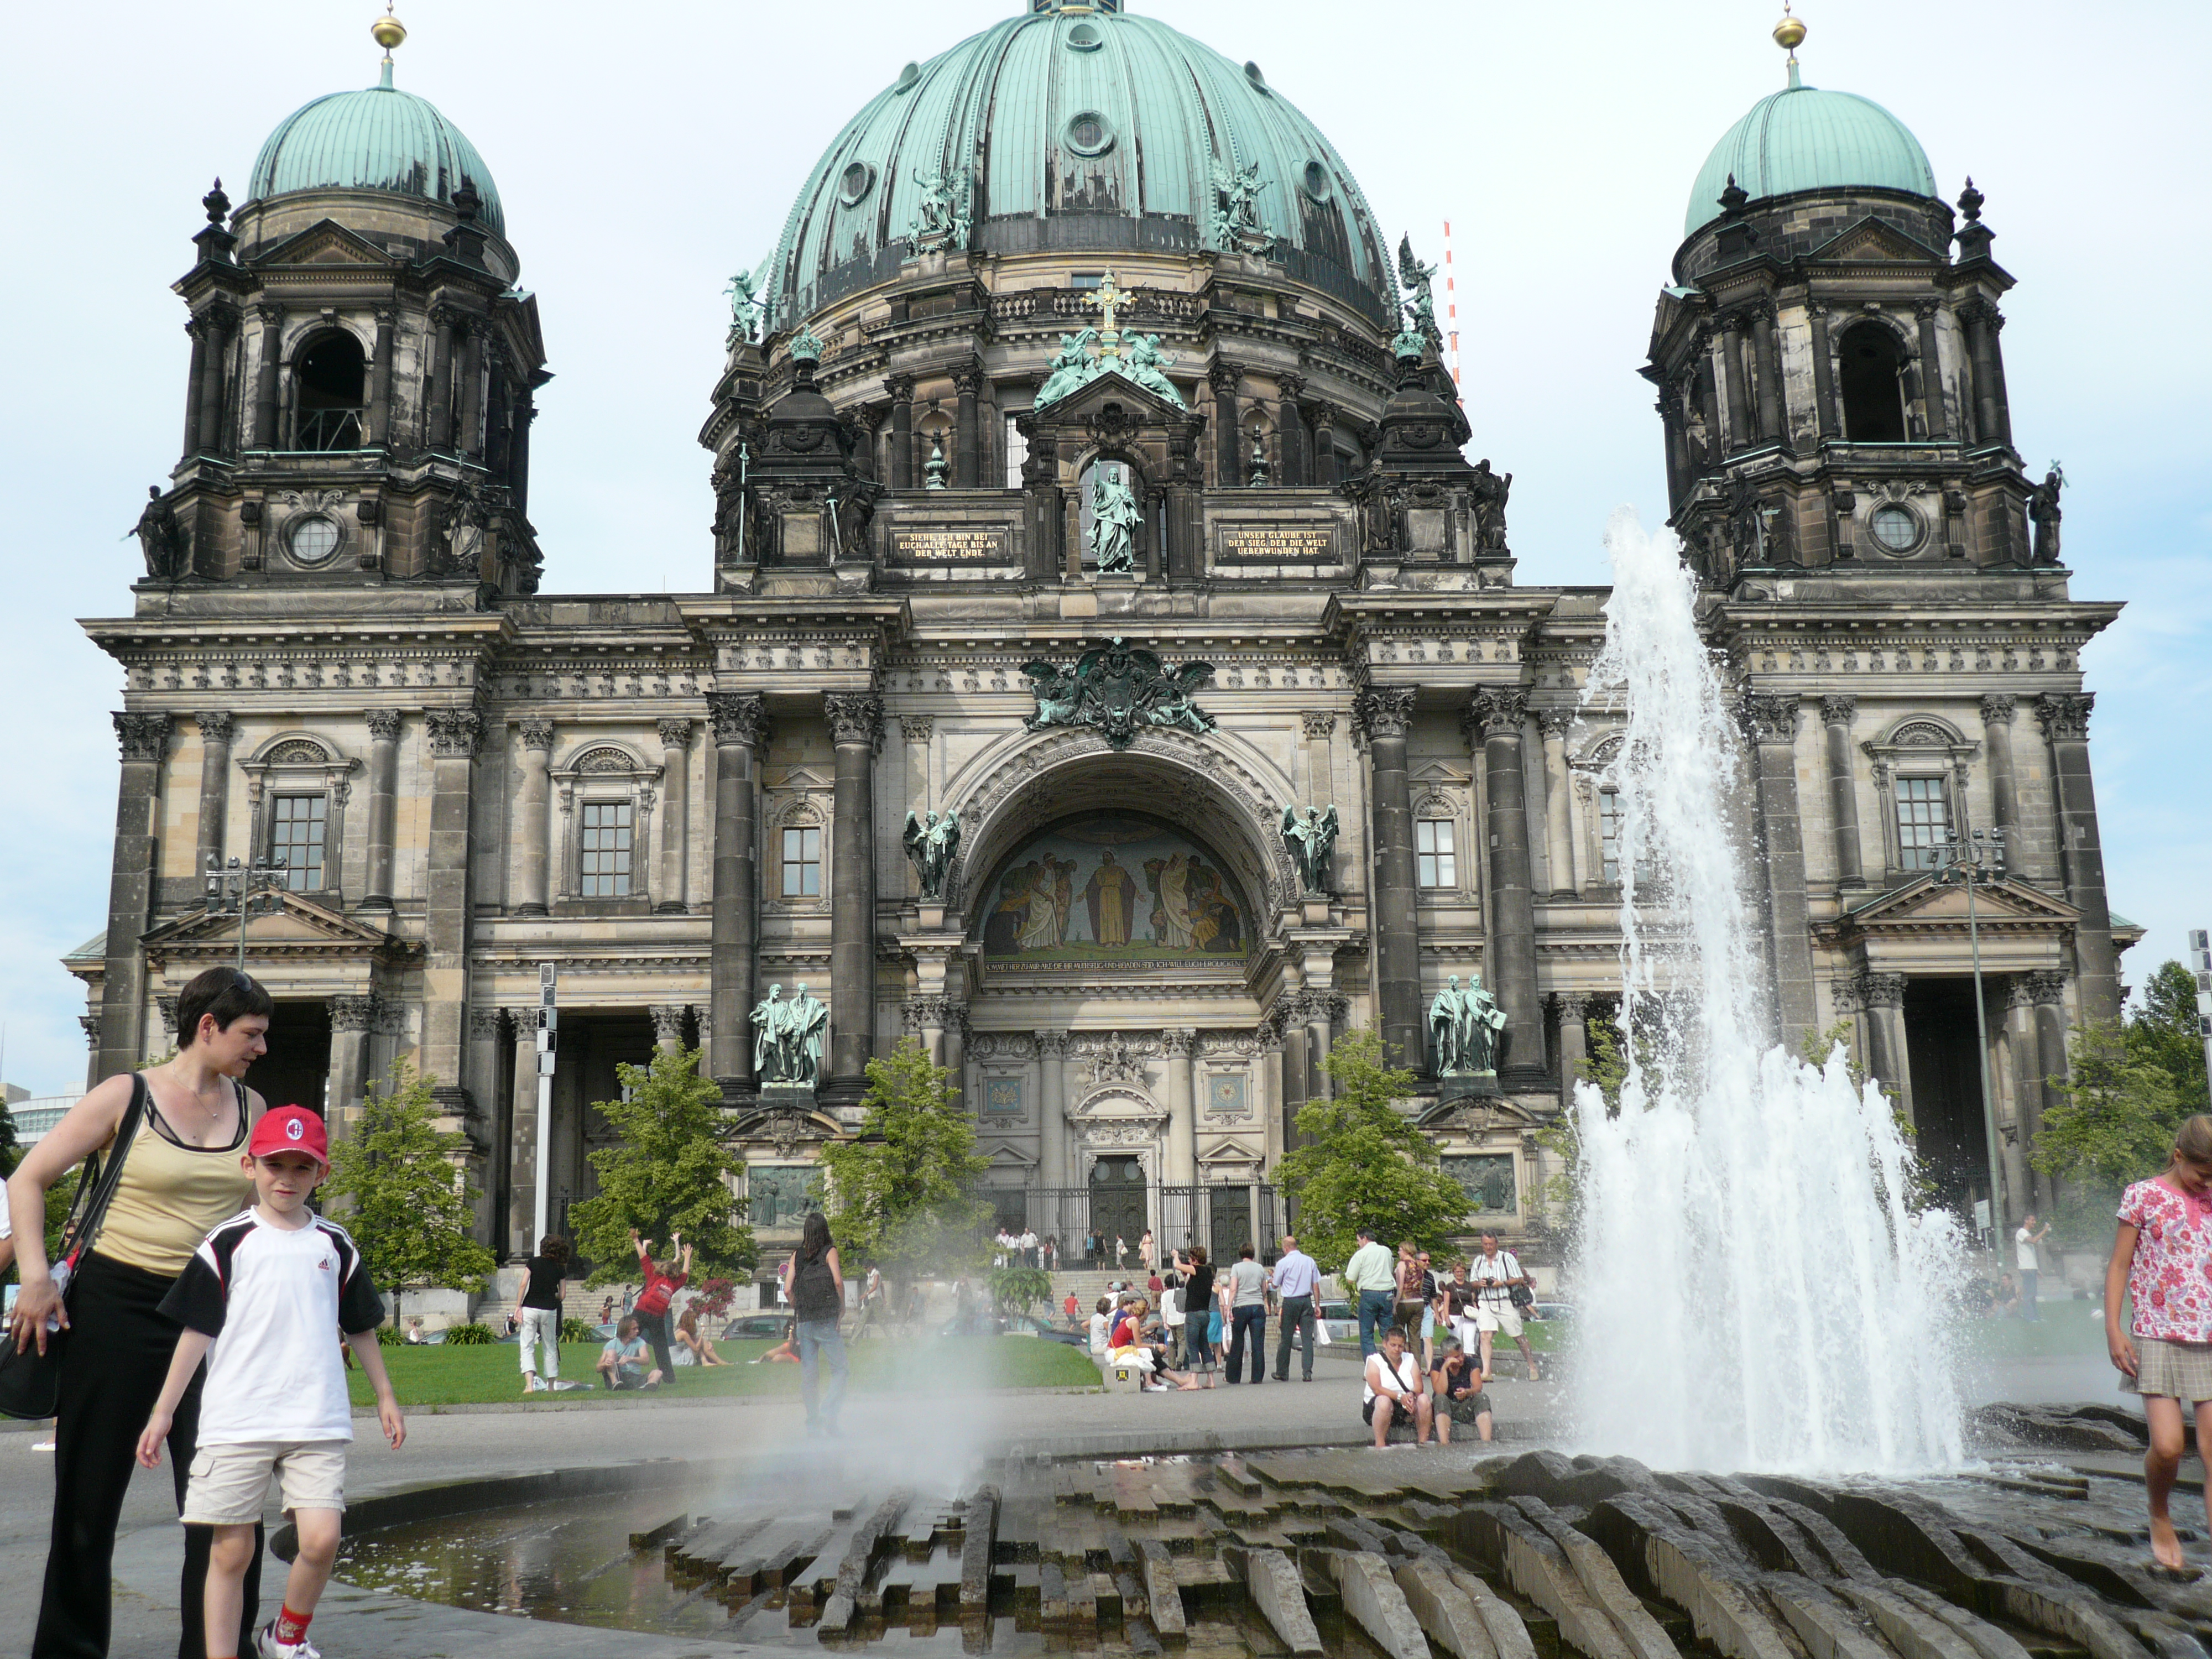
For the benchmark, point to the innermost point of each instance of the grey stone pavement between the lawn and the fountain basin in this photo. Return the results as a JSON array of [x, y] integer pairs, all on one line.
[[514, 1441]]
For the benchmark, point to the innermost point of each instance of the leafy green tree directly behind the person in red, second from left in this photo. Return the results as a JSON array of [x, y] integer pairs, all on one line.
[[667, 1171]]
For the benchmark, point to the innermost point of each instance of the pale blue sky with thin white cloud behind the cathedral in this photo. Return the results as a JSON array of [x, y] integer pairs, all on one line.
[[649, 149]]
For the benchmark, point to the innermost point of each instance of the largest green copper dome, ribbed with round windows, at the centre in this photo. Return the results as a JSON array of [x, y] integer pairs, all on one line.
[[1089, 132]]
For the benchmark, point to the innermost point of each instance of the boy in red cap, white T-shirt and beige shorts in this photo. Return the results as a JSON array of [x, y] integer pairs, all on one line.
[[267, 1288]]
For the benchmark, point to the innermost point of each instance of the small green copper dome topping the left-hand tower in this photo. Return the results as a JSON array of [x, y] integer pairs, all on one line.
[[375, 140]]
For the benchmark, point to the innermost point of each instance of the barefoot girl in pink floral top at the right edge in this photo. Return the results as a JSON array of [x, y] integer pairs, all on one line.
[[2162, 1260]]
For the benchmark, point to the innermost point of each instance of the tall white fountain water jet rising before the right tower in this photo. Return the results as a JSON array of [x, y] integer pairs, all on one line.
[[1751, 1260]]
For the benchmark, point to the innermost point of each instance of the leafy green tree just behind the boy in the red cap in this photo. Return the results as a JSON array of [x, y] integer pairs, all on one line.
[[413, 1209]]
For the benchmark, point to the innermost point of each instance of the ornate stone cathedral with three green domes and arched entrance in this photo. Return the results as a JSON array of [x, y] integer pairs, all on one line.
[[1105, 662]]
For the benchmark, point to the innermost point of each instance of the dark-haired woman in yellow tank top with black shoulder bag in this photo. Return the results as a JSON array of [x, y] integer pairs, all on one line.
[[182, 1178]]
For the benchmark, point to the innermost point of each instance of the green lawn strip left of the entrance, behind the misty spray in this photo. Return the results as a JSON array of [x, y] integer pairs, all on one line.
[[490, 1375]]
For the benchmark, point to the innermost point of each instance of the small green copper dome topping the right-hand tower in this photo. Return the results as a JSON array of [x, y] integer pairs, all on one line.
[[1811, 140]]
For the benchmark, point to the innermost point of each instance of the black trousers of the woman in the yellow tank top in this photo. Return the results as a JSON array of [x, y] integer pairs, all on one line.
[[114, 1366]]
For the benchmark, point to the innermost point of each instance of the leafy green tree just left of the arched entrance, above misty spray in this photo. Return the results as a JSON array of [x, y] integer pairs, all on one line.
[[904, 1189]]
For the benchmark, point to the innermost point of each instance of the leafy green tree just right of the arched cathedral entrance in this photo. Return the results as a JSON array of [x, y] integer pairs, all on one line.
[[1366, 1162]]
